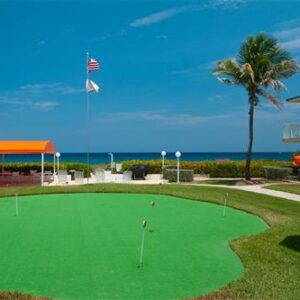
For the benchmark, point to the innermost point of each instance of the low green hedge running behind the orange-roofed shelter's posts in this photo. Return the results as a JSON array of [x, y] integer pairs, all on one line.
[[26, 167]]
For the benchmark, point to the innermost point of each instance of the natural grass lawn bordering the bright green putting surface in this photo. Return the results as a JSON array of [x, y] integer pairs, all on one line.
[[271, 259]]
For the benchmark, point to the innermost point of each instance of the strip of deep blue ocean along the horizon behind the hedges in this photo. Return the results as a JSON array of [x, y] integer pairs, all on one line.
[[101, 158]]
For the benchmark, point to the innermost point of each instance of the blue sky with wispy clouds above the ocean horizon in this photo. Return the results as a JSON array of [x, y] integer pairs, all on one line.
[[157, 88]]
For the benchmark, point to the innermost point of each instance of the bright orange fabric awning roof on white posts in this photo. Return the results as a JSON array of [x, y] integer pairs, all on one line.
[[26, 147]]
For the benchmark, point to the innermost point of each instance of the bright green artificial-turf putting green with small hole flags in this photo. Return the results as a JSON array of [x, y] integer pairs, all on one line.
[[86, 246]]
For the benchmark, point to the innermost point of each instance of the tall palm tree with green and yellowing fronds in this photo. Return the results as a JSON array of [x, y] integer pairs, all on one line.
[[260, 66]]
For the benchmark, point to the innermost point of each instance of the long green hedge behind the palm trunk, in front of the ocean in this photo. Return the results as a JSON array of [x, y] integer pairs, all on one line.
[[219, 169]]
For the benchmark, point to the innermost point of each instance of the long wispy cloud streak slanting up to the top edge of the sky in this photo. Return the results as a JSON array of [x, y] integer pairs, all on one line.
[[172, 12]]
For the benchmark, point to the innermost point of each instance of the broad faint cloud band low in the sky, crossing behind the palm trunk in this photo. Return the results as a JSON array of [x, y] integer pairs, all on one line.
[[264, 114]]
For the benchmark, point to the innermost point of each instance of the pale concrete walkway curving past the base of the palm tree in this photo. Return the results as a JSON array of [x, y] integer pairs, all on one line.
[[260, 189]]
